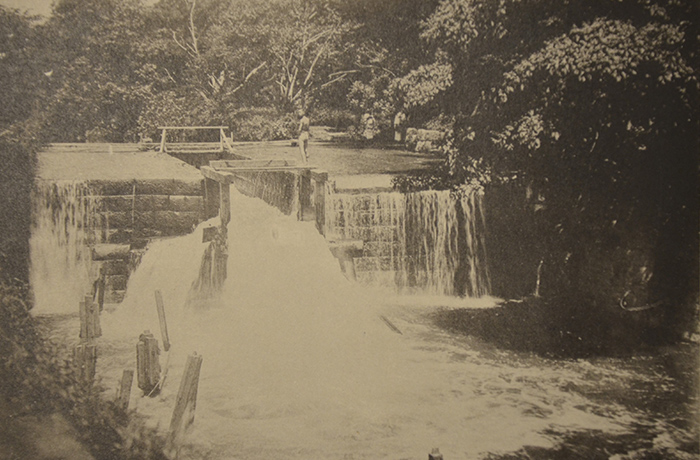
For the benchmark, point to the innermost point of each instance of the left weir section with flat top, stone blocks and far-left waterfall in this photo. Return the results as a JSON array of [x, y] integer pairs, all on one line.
[[96, 207]]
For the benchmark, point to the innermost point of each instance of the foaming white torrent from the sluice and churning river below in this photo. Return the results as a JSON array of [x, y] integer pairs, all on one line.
[[300, 363]]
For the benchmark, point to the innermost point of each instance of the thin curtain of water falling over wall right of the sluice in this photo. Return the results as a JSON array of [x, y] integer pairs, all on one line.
[[431, 242]]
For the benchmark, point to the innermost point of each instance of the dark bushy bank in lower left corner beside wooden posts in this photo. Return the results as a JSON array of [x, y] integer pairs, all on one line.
[[37, 380]]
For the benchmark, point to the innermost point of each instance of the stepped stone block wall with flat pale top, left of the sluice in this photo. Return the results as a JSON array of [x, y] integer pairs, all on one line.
[[117, 197]]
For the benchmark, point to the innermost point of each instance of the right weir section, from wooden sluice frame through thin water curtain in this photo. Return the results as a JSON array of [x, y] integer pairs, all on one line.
[[429, 242]]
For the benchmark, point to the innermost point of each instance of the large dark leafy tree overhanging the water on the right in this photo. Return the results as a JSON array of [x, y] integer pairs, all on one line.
[[593, 107]]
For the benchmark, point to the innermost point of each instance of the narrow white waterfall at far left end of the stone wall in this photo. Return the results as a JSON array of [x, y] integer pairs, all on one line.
[[63, 225]]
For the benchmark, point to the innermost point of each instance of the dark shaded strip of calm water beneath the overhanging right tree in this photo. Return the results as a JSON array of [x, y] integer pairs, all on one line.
[[559, 327]]
